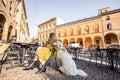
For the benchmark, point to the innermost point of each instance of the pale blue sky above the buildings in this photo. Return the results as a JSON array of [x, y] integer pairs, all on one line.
[[39, 11]]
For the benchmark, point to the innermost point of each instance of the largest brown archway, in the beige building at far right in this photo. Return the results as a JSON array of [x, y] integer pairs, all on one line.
[[111, 38]]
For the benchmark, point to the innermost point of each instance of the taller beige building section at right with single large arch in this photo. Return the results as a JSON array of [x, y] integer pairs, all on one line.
[[111, 26]]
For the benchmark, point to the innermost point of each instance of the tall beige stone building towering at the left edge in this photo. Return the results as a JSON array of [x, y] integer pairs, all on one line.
[[13, 20]]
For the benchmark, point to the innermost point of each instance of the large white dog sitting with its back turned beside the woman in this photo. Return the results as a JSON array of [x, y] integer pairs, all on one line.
[[68, 65]]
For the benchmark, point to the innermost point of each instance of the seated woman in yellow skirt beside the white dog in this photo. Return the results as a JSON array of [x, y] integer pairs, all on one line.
[[43, 53]]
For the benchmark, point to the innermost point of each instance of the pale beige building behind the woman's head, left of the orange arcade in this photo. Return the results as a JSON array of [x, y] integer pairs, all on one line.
[[46, 28]]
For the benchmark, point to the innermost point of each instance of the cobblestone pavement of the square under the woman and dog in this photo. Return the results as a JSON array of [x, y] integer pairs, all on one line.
[[94, 73]]
